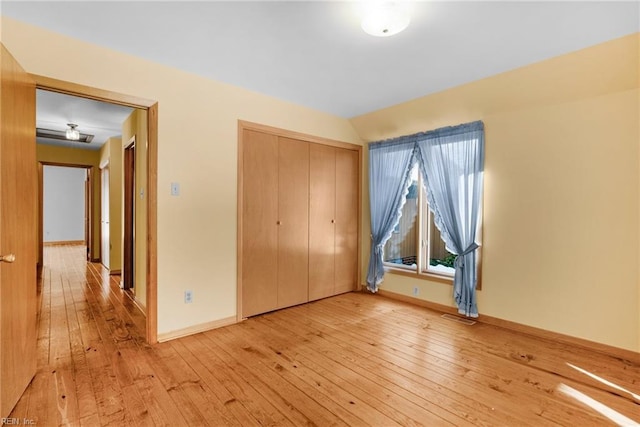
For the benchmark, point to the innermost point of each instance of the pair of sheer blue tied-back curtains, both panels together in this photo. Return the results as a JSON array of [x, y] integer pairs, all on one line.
[[451, 161]]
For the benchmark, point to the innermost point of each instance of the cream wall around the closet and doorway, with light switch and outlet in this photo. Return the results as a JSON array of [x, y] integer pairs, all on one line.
[[197, 147]]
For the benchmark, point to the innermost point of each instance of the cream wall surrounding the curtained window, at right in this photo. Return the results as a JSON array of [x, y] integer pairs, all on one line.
[[561, 190]]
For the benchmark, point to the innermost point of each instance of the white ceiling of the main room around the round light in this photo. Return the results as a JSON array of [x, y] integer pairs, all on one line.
[[315, 54]]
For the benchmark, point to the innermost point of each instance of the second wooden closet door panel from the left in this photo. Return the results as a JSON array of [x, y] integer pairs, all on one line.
[[293, 228]]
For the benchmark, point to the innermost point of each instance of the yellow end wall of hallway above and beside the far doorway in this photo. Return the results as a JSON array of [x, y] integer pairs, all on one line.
[[77, 156]]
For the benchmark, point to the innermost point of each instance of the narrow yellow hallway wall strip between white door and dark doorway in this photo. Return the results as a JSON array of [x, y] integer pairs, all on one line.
[[111, 154]]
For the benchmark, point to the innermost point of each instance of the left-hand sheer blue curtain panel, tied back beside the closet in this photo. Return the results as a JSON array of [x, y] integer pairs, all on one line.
[[390, 164]]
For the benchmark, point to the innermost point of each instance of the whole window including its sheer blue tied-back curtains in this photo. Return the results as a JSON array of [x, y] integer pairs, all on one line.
[[452, 159]]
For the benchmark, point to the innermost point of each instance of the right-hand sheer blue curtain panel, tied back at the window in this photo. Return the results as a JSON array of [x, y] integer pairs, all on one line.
[[452, 162]]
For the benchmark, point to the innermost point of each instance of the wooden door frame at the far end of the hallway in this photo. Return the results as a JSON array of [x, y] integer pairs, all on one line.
[[89, 206]]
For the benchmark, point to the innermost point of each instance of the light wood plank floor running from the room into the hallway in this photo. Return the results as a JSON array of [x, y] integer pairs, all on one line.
[[356, 359]]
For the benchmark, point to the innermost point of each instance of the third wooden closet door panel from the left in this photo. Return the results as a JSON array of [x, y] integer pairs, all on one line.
[[322, 190]]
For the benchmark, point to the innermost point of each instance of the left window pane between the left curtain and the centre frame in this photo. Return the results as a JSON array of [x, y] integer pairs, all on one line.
[[401, 248]]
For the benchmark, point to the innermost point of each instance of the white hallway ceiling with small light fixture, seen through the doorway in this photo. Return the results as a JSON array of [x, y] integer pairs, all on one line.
[[55, 110]]
